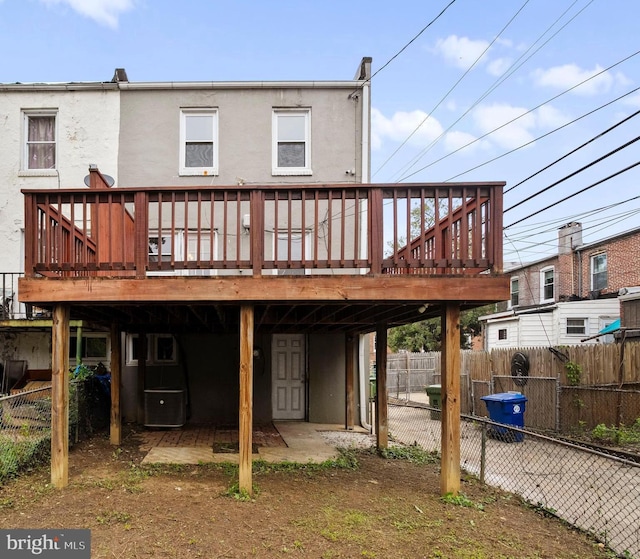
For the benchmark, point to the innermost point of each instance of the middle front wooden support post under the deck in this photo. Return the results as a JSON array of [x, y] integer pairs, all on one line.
[[246, 398]]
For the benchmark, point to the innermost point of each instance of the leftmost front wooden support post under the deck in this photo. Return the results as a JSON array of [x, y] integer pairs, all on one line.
[[60, 396]]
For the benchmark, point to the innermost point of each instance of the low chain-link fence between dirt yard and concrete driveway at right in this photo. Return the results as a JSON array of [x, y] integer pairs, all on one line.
[[595, 491]]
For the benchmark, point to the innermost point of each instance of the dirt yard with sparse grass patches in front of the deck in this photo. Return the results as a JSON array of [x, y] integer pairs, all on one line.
[[382, 508]]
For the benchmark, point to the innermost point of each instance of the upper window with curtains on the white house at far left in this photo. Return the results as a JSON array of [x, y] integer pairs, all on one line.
[[39, 140]]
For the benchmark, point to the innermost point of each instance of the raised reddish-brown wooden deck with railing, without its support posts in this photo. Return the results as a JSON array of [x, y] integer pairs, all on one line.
[[329, 256]]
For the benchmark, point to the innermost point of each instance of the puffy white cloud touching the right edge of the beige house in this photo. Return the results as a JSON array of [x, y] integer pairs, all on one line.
[[401, 125]]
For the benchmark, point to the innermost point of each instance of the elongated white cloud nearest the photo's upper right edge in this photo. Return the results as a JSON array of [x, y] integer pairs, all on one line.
[[569, 75]]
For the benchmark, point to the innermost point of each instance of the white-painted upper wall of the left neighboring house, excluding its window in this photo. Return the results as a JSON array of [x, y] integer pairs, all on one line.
[[88, 125]]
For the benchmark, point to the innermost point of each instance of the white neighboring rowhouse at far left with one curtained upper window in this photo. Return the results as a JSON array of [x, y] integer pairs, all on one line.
[[49, 133]]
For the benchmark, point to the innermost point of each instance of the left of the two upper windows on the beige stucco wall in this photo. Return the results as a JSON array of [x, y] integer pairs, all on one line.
[[198, 142]]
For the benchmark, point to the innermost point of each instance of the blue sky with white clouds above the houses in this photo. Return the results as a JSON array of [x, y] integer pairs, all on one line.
[[463, 90]]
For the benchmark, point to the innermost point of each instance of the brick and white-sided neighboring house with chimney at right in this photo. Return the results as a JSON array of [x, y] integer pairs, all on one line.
[[567, 298]]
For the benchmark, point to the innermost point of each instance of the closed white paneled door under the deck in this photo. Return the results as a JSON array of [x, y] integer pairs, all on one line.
[[288, 374]]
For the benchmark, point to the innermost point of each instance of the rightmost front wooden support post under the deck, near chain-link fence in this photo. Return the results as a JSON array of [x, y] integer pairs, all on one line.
[[450, 379]]
